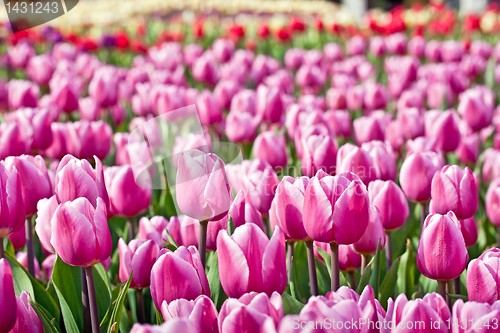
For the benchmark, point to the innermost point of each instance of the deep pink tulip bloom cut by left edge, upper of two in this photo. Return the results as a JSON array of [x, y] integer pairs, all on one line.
[[12, 210]]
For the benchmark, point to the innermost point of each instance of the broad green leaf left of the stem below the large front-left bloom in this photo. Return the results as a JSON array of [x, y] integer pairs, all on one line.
[[68, 285]]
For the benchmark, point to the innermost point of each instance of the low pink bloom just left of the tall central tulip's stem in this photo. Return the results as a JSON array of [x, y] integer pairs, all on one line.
[[178, 274]]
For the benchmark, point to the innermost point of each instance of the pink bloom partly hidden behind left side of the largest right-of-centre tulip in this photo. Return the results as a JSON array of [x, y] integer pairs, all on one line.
[[289, 203]]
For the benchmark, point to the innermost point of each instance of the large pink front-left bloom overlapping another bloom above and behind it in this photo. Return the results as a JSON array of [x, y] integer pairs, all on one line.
[[80, 233]]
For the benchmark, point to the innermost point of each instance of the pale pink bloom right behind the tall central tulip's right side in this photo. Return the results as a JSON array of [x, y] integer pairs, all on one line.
[[257, 180]]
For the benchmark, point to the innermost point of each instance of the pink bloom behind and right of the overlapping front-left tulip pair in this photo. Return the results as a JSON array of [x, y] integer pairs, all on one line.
[[126, 196]]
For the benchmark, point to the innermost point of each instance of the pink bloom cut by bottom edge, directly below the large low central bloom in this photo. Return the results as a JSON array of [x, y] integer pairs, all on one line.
[[258, 312]]
